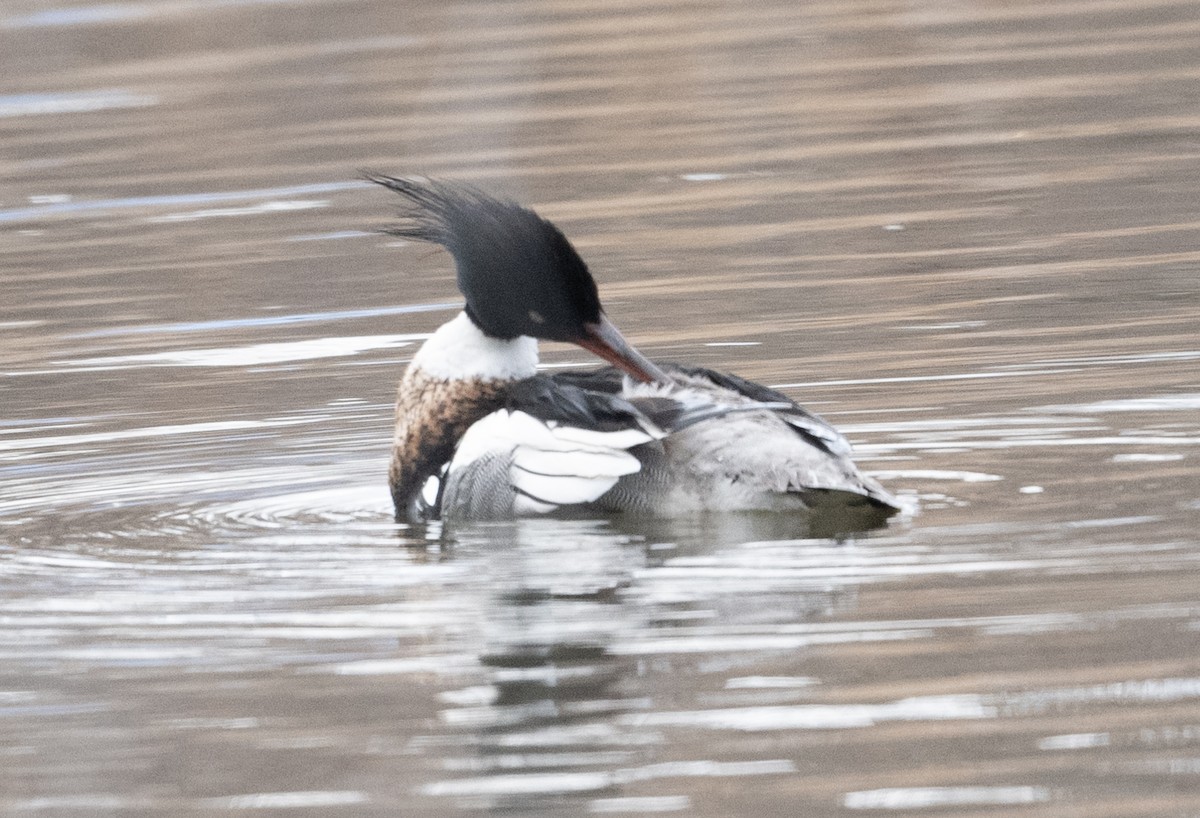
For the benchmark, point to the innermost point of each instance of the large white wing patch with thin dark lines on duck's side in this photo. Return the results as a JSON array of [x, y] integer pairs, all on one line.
[[550, 465]]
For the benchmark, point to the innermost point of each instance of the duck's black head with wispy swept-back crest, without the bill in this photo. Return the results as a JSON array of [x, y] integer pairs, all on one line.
[[520, 274]]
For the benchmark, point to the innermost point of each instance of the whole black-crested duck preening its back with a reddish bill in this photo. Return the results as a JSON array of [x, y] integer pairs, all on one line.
[[481, 434]]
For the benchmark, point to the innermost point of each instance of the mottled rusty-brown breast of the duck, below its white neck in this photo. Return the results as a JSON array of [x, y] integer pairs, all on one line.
[[433, 414]]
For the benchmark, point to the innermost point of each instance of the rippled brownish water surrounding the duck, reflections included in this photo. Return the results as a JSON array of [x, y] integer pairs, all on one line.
[[967, 232]]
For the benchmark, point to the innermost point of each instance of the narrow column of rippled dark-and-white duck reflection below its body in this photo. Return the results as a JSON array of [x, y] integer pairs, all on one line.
[[545, 724]]
